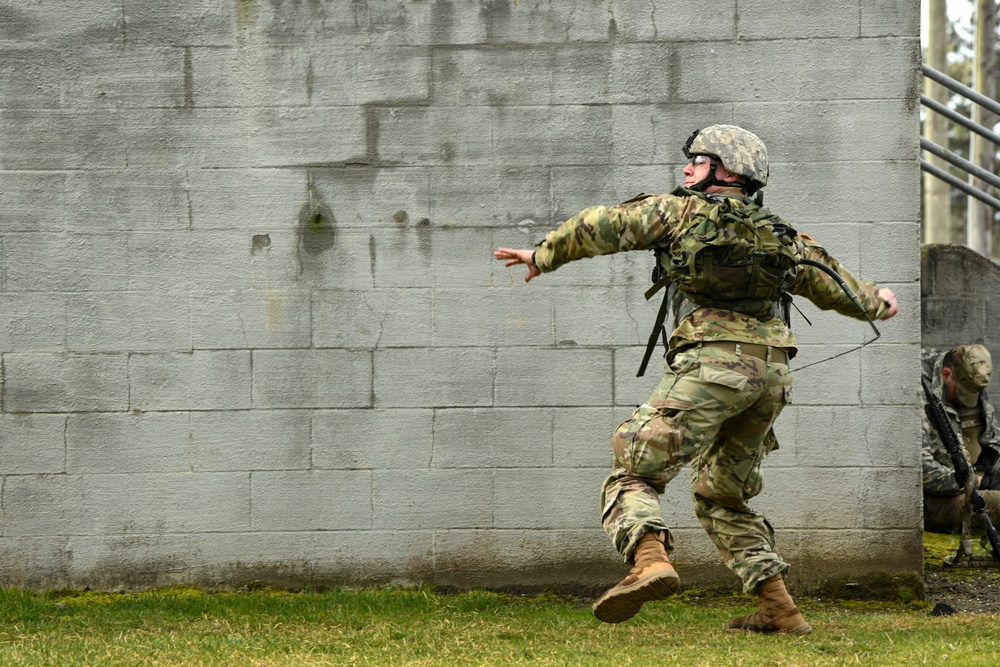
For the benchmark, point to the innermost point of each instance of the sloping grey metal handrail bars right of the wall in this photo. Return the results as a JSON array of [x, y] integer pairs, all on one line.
[[956, 160]]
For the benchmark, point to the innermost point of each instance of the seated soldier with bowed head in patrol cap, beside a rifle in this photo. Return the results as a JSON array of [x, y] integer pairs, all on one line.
[[960, 377]]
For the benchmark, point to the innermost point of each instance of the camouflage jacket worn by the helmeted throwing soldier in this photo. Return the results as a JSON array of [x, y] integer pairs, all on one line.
[[657, 221]]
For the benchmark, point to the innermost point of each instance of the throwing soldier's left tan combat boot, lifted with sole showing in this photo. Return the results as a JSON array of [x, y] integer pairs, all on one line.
[[652, 578]]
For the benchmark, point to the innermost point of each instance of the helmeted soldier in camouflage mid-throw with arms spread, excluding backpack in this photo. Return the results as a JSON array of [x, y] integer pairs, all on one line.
[[727, 380]]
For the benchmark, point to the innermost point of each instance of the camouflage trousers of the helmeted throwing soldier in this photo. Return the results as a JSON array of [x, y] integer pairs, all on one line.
[[714, 411]]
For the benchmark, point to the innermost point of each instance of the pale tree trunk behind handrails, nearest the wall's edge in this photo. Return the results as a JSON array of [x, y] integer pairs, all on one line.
[[937, 223]]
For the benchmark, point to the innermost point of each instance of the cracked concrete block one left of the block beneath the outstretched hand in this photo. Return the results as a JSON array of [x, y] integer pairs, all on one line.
[[369, 319]]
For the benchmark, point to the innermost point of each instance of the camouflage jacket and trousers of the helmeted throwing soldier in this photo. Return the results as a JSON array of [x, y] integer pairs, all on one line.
[[715, 409]]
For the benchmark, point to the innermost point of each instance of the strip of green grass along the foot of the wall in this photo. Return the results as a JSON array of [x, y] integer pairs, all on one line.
[[418, 626]]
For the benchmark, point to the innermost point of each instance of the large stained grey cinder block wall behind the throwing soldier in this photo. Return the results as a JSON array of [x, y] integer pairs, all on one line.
[[251, 327]]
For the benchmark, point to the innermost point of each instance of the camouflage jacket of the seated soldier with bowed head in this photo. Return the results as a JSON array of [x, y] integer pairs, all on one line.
[[938, 471]]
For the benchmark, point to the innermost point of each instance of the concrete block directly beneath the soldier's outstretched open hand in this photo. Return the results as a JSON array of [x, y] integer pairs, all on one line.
[[496, 317]]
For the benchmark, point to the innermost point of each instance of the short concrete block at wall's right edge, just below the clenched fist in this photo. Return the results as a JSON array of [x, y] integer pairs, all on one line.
[[890, 374]]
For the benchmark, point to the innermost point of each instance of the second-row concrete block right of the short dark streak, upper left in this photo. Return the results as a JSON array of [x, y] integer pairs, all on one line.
[[260, 76]]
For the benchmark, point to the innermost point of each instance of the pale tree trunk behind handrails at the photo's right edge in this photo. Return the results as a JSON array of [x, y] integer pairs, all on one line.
[[979, 230]]
